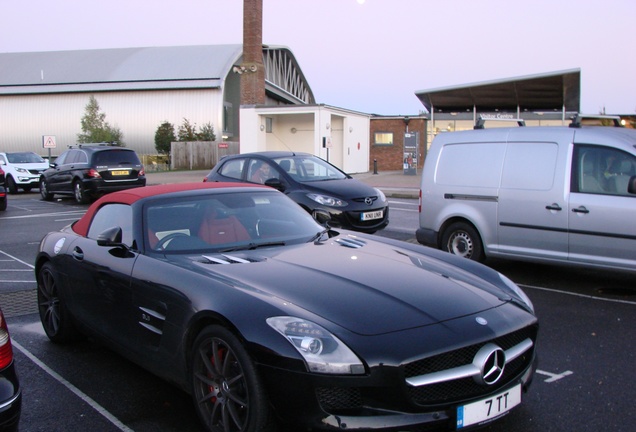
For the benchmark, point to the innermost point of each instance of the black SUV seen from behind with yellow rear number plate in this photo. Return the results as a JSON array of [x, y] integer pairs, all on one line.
[[88, 171]]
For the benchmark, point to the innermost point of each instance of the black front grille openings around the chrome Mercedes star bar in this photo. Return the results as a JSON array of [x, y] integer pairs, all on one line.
[[459, 389]]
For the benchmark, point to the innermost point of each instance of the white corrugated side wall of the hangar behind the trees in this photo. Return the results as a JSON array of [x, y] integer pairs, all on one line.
[[25, 119]]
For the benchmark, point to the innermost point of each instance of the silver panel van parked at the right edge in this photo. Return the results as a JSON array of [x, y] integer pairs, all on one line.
[[547, 194]]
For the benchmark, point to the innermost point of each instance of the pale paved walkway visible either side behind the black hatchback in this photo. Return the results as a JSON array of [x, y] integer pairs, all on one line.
[[394, 184]]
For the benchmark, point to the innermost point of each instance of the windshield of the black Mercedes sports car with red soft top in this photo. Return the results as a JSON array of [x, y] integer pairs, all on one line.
[[218, 222]]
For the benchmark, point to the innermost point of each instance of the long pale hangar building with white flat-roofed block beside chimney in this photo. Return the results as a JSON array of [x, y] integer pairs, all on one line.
[[46, 93]]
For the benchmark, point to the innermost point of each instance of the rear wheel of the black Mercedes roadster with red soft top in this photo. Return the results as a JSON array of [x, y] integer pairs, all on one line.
[[56, 320]]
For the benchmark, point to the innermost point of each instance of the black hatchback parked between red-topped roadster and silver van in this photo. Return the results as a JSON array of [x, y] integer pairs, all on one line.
[[319, 187]]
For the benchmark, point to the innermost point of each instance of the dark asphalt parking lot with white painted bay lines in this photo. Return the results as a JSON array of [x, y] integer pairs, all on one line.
[[587, 347]]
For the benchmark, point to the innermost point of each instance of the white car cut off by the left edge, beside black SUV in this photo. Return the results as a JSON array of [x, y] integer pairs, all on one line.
[[22, 170]]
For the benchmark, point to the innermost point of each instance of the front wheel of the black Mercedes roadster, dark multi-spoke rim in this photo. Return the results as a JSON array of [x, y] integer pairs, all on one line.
[[227, 390]]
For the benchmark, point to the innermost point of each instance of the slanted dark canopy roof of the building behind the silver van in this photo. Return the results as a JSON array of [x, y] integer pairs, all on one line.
[[550, 91]]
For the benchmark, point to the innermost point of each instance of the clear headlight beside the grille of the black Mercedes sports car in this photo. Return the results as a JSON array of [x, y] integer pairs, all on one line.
[[322, 351]]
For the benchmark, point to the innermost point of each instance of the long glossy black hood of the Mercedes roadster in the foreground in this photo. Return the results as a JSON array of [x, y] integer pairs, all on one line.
[[364, 286]]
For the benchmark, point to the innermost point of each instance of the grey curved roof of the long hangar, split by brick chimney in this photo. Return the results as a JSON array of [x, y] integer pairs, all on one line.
[[151, 68]]
